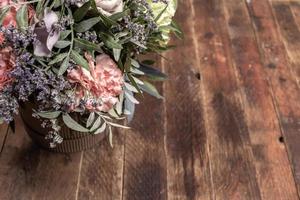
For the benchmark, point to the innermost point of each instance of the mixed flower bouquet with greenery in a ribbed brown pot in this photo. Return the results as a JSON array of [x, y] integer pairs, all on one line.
[[71, 68]]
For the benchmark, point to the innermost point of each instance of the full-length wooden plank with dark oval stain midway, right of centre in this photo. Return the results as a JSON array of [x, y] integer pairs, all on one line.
[[232, 162]]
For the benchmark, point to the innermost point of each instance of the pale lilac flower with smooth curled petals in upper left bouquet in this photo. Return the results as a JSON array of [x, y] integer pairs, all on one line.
[[46, 34]]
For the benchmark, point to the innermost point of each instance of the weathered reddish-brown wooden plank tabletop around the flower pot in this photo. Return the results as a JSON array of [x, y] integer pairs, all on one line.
[[228, 129]]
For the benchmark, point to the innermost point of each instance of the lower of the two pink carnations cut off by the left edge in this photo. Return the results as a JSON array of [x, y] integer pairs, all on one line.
[[7, 61]]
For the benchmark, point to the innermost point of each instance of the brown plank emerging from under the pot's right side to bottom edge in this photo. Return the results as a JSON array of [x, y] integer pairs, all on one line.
[[101, 170]]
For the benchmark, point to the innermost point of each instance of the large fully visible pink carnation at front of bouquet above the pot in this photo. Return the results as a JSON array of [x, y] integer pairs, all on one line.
[[102, 82]]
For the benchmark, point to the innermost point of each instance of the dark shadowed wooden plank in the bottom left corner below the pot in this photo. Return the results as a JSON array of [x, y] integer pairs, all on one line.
[[28, 172]]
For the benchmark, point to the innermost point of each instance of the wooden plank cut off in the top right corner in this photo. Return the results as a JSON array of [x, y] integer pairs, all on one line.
[[290, 34]]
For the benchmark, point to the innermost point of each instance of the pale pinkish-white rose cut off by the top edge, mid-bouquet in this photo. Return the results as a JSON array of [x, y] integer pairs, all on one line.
[[109, 7]]
